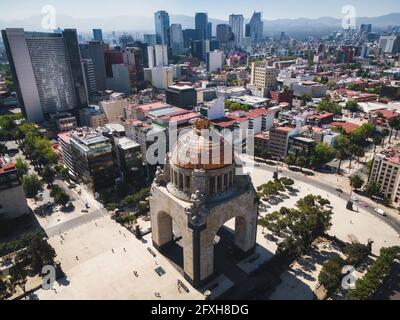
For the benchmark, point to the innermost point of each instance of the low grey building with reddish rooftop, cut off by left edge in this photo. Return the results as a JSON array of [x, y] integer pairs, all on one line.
[[13, 202]]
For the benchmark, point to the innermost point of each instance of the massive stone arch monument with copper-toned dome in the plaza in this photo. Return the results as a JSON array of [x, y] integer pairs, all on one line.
[[199, 198]]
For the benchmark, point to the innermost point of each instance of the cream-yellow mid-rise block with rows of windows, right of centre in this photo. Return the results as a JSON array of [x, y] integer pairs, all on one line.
[[264, 76]]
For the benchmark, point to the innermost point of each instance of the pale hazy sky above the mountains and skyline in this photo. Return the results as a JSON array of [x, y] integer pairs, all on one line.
[[272, 9]]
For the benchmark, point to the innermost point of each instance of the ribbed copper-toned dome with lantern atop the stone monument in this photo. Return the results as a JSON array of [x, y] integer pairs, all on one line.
[[195, 150]]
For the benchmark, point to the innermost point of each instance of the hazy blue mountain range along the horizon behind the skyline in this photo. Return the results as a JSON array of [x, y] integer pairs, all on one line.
[[146, 24]]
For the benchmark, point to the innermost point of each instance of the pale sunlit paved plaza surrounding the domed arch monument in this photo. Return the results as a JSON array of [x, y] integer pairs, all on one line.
[[100, 257]]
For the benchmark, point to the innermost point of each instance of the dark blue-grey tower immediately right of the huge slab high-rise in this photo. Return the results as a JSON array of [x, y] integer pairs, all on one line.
[[94, 50]]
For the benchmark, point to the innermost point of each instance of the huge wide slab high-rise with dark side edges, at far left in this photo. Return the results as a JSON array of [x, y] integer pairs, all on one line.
[[47, 71]]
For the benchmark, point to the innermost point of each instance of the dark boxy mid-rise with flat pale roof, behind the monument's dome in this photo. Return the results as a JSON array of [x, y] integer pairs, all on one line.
[[181, 96]]
